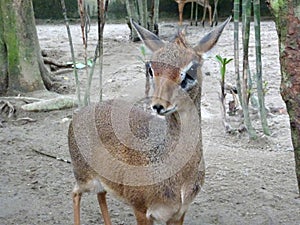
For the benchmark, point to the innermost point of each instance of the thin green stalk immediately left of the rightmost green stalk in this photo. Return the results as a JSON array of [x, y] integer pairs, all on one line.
[[245, 87]]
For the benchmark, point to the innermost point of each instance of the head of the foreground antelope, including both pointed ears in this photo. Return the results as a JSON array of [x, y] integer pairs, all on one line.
[[175, 68]]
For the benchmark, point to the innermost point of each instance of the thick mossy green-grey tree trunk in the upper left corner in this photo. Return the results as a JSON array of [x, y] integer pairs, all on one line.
[[21, 64]]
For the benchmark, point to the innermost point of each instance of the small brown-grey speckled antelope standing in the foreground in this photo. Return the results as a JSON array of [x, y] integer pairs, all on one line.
[[153, 163]]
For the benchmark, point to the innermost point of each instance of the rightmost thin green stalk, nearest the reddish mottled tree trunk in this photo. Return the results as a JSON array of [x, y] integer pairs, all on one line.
[[259, 81]]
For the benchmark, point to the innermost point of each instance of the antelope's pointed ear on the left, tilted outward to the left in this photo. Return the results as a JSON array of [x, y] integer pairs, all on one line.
[[150, 40]]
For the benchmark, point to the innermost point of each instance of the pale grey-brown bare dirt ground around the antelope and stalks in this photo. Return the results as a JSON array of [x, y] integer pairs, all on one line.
[[247, 182]]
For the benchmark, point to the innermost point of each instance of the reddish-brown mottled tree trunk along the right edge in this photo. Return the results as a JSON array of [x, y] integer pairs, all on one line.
[[287, 18]]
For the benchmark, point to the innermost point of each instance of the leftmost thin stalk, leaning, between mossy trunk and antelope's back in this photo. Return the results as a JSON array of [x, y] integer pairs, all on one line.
[[63, 5]]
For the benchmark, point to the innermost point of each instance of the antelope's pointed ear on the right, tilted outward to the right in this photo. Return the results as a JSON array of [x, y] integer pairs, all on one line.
[[210, 39]]
